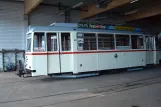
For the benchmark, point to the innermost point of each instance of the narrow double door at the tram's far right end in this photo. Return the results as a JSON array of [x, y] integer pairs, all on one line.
[[150, 47]]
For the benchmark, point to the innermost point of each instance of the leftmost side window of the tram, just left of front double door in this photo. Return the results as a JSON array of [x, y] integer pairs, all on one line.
[[39, 42]]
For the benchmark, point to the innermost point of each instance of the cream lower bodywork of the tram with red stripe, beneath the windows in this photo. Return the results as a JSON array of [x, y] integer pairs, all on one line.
[[75, 61]]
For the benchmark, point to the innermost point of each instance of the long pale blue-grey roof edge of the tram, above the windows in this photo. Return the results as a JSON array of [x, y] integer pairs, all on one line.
[[69, 29]]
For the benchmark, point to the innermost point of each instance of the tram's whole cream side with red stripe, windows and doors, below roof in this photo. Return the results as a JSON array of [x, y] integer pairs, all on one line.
[[51, 53]]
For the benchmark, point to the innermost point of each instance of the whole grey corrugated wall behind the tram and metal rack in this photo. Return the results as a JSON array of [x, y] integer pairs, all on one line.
[[13, 25]]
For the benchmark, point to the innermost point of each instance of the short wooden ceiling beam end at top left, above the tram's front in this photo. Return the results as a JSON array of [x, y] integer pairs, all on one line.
[[30, 5]]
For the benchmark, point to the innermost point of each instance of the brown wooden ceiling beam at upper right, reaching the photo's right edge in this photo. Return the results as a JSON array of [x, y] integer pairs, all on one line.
[[143, 13]]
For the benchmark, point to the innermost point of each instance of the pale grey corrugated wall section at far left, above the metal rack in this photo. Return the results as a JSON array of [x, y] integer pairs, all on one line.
[[11, 25]]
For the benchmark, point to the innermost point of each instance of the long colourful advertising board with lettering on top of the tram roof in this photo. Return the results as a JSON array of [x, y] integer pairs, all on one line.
[[107, 27]]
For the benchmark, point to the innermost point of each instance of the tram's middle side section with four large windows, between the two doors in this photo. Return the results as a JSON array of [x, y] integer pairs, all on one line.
[[103, 51]]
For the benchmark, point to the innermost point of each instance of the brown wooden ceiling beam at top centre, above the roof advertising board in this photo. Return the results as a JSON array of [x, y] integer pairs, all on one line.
[[93, 10]]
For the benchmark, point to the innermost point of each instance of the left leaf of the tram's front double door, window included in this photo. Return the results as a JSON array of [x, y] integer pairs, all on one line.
[[53, 57]]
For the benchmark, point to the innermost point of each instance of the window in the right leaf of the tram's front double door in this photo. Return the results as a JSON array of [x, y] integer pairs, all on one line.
[[65, 41]]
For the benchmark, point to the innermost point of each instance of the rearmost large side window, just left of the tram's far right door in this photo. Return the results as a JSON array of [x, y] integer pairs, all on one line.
[[137, 42]]
